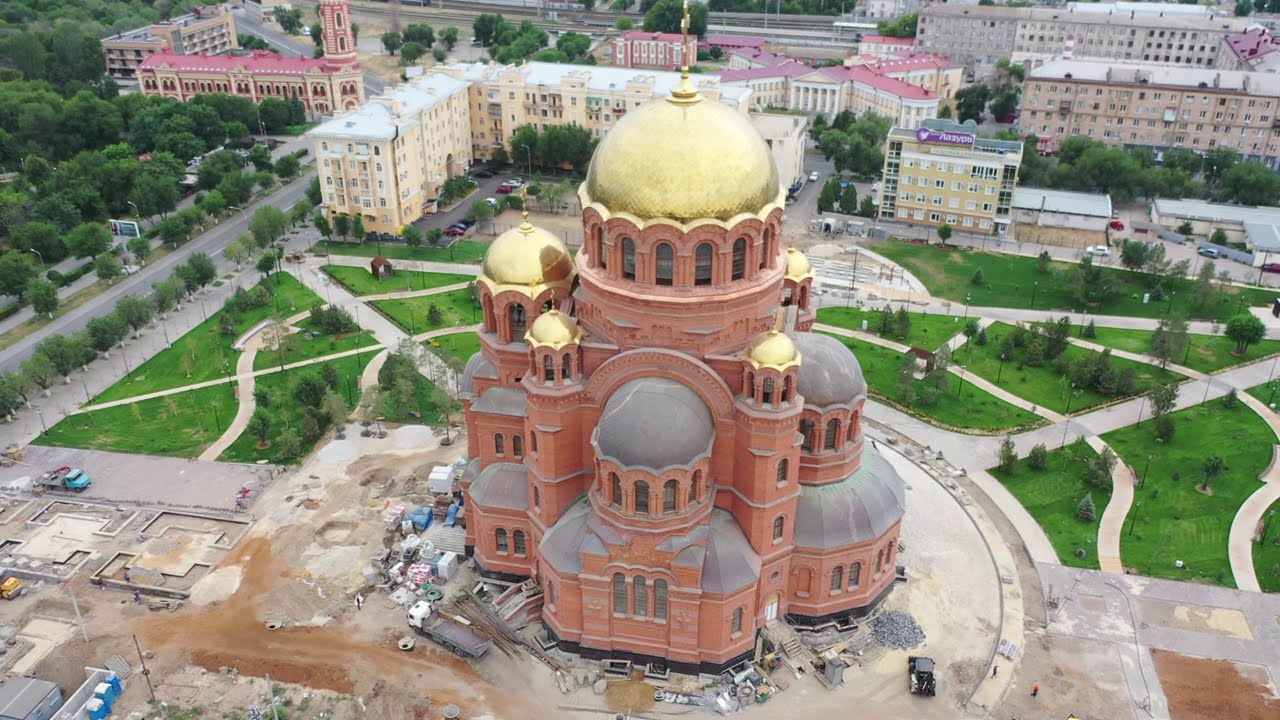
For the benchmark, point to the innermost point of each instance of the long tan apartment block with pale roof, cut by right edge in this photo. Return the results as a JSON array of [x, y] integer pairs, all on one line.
[[1159, 107]]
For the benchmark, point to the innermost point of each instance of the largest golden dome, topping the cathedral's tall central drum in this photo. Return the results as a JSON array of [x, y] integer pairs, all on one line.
[[684, 158]]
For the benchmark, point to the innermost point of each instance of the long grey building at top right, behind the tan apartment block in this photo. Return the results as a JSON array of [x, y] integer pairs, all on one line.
[[979, 37]]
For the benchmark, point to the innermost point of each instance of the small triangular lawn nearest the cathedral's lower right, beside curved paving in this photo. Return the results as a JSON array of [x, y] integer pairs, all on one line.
[[1052, 496]]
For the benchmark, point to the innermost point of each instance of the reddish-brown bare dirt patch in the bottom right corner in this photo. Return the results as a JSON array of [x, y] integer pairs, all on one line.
[[1215, 690]]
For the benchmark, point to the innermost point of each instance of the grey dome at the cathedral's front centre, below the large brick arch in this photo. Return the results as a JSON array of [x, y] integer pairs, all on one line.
[[655, 423]]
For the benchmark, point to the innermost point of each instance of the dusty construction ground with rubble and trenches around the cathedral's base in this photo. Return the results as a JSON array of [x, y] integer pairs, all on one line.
[[341, 590]]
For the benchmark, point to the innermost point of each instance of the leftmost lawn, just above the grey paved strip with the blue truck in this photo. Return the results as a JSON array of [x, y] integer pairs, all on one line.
[[181, 425]]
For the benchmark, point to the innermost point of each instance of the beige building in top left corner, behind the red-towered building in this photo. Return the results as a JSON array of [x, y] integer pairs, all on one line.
[[208, 30]]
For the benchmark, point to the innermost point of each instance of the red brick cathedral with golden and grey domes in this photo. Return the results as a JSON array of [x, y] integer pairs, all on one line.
[[653, 434]]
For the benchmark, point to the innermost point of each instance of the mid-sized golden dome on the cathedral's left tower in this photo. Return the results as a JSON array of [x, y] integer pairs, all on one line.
[[528, 257]]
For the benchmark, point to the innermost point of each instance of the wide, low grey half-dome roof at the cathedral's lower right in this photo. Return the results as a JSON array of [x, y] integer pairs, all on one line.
[[856, 511]]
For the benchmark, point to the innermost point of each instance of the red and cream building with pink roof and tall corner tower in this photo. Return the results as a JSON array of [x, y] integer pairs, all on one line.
[[323, 85]]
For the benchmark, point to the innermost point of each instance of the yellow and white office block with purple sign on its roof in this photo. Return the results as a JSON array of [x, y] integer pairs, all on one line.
[[944, 174]]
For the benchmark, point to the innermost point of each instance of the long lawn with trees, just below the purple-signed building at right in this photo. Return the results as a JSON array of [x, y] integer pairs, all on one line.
[[1012, 281]]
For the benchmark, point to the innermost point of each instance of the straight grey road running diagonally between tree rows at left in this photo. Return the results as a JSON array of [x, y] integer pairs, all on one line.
[[211, 244]]
